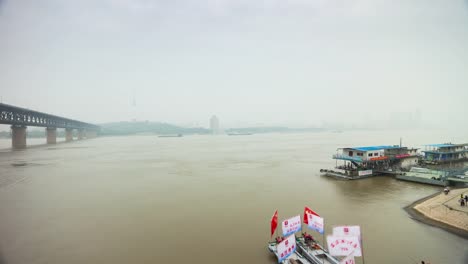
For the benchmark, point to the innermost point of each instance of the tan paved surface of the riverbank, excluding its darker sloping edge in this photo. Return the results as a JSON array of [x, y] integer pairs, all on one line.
[[446, 209]]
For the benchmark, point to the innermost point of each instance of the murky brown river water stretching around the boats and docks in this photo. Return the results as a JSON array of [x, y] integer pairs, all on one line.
[[203, 199]]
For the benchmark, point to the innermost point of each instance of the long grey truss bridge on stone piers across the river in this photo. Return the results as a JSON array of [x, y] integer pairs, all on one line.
[[19, 118]]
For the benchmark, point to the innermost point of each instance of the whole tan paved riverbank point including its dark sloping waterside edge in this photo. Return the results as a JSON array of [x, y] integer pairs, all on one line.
[[443, 211]]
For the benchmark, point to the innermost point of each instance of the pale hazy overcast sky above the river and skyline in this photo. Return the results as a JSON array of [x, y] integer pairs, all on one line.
[[271, 62]]
